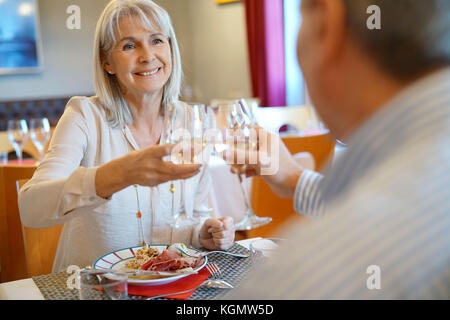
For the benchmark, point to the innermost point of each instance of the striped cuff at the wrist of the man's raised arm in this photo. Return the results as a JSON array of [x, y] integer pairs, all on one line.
[[308, 198]]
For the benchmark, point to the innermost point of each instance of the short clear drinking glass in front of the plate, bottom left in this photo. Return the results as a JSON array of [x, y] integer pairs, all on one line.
[[103, 285]]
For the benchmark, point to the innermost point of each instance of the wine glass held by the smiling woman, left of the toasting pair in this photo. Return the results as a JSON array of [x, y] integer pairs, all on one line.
[[180, 122]]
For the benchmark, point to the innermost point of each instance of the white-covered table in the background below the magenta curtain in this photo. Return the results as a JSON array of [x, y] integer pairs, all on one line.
[[299, 117]]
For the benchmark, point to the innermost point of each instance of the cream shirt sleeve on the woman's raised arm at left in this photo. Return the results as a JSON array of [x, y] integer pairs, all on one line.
[[60, 188]]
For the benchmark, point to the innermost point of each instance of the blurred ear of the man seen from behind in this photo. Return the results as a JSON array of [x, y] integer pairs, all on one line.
[[332, 28]]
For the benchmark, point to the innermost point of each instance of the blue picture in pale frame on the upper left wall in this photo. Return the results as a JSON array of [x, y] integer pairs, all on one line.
[[20, 43]]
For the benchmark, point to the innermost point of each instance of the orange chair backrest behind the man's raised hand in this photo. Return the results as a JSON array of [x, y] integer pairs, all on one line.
[[266, 203]]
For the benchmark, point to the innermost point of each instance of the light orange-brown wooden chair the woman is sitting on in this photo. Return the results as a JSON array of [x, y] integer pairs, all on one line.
[[40, 245]]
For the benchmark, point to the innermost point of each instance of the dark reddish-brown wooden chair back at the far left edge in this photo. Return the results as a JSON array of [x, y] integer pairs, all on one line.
[[12, 255]]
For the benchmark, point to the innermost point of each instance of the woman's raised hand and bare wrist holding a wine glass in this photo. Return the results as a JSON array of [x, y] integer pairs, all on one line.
[[144, 167]]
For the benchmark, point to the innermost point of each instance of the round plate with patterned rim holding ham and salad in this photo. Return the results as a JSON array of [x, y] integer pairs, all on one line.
[[159, 264]]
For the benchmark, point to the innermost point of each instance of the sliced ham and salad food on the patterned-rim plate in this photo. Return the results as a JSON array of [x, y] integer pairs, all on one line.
[[171, 259]]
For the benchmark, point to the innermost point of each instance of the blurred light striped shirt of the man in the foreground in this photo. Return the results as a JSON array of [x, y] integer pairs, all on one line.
[[384, 231]]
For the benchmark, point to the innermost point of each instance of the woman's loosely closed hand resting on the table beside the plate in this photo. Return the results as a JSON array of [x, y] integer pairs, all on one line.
[[217, 234]]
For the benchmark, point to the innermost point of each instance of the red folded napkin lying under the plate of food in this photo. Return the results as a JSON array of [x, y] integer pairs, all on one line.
[[185, 283]]
